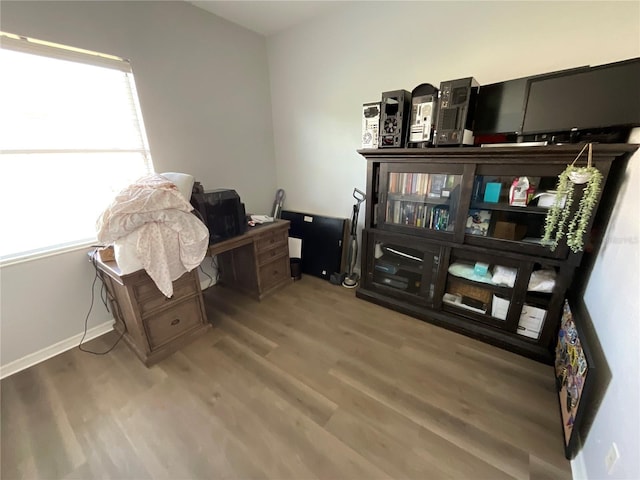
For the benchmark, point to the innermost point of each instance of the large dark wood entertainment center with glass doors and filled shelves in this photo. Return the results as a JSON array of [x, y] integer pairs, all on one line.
[[433, 243]]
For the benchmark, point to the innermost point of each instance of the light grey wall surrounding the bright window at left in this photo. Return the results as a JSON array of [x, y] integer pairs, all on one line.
[[204, 92]]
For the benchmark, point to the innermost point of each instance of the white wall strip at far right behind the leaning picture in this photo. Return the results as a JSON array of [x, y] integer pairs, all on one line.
[[613, 299]]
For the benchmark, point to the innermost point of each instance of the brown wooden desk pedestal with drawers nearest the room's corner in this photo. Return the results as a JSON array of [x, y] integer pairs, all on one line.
[[256, 262]]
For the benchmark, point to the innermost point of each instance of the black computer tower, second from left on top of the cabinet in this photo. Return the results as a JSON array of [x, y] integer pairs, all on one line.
[[394, 118]]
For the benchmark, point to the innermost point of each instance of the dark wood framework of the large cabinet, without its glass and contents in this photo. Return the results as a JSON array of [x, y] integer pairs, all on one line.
[[545, 161]]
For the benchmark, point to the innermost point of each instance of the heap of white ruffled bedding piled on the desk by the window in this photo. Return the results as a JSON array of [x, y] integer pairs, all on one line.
[[153, 215]]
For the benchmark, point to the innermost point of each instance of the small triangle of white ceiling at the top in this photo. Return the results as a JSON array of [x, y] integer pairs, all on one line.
[[266, 17]]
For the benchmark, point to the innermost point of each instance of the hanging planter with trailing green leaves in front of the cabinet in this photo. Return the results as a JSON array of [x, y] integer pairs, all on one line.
[[559, 222]]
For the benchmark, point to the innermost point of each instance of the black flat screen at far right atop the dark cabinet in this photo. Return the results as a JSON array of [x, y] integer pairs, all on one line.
[[602, 97]]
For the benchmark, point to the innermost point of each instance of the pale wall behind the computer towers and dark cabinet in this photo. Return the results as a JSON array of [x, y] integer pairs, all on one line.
[[323, 71]]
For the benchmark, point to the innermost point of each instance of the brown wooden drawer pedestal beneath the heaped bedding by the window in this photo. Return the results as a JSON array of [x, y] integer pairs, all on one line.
[[154, 326]]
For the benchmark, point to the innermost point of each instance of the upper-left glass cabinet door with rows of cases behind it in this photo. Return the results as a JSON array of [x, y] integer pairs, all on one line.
[[421, 199]]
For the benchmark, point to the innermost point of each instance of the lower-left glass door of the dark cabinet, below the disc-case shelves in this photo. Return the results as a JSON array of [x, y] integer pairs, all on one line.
[[402, 269]]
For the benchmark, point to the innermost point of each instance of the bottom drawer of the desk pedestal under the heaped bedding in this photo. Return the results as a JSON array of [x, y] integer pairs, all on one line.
[[173, 322]]
